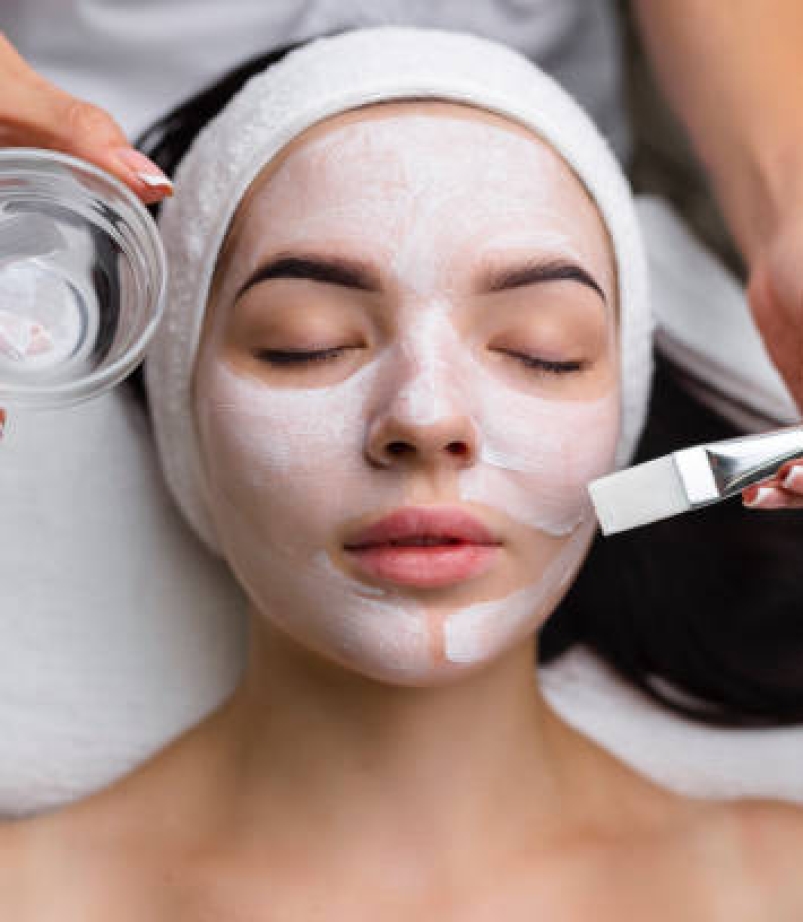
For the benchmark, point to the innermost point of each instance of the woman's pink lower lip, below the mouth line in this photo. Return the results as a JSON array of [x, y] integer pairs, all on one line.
[[425, 567]]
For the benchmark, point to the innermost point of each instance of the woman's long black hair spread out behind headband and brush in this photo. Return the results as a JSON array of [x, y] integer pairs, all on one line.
[[703, 612]]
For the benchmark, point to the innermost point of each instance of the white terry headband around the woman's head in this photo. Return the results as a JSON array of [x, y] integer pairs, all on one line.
[[324, 78]]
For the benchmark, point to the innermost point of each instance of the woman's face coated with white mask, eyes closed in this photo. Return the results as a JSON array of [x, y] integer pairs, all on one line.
[[415, 311]]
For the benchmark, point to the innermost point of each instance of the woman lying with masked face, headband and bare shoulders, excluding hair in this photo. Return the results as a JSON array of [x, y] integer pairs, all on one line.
[[407, 323]]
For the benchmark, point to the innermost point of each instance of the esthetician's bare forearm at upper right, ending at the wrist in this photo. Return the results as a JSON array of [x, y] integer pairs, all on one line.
[[733, 72]]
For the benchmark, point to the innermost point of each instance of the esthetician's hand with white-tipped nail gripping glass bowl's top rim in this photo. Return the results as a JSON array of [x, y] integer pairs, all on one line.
[[35, 113]]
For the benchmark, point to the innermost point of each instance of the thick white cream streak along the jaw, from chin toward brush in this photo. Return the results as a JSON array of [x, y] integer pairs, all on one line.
[[479, 632]]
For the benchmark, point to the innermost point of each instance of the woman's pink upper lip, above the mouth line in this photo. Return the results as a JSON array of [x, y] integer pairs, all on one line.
[[450, 524]]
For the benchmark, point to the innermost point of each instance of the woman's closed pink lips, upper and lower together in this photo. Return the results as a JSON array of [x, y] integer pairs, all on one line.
[[425, 546]]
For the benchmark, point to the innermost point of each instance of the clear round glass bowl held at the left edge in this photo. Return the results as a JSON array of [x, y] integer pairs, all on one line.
[[82, 279]]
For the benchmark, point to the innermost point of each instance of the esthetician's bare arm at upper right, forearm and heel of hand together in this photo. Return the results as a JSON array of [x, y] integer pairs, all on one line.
[[733, 71]]
